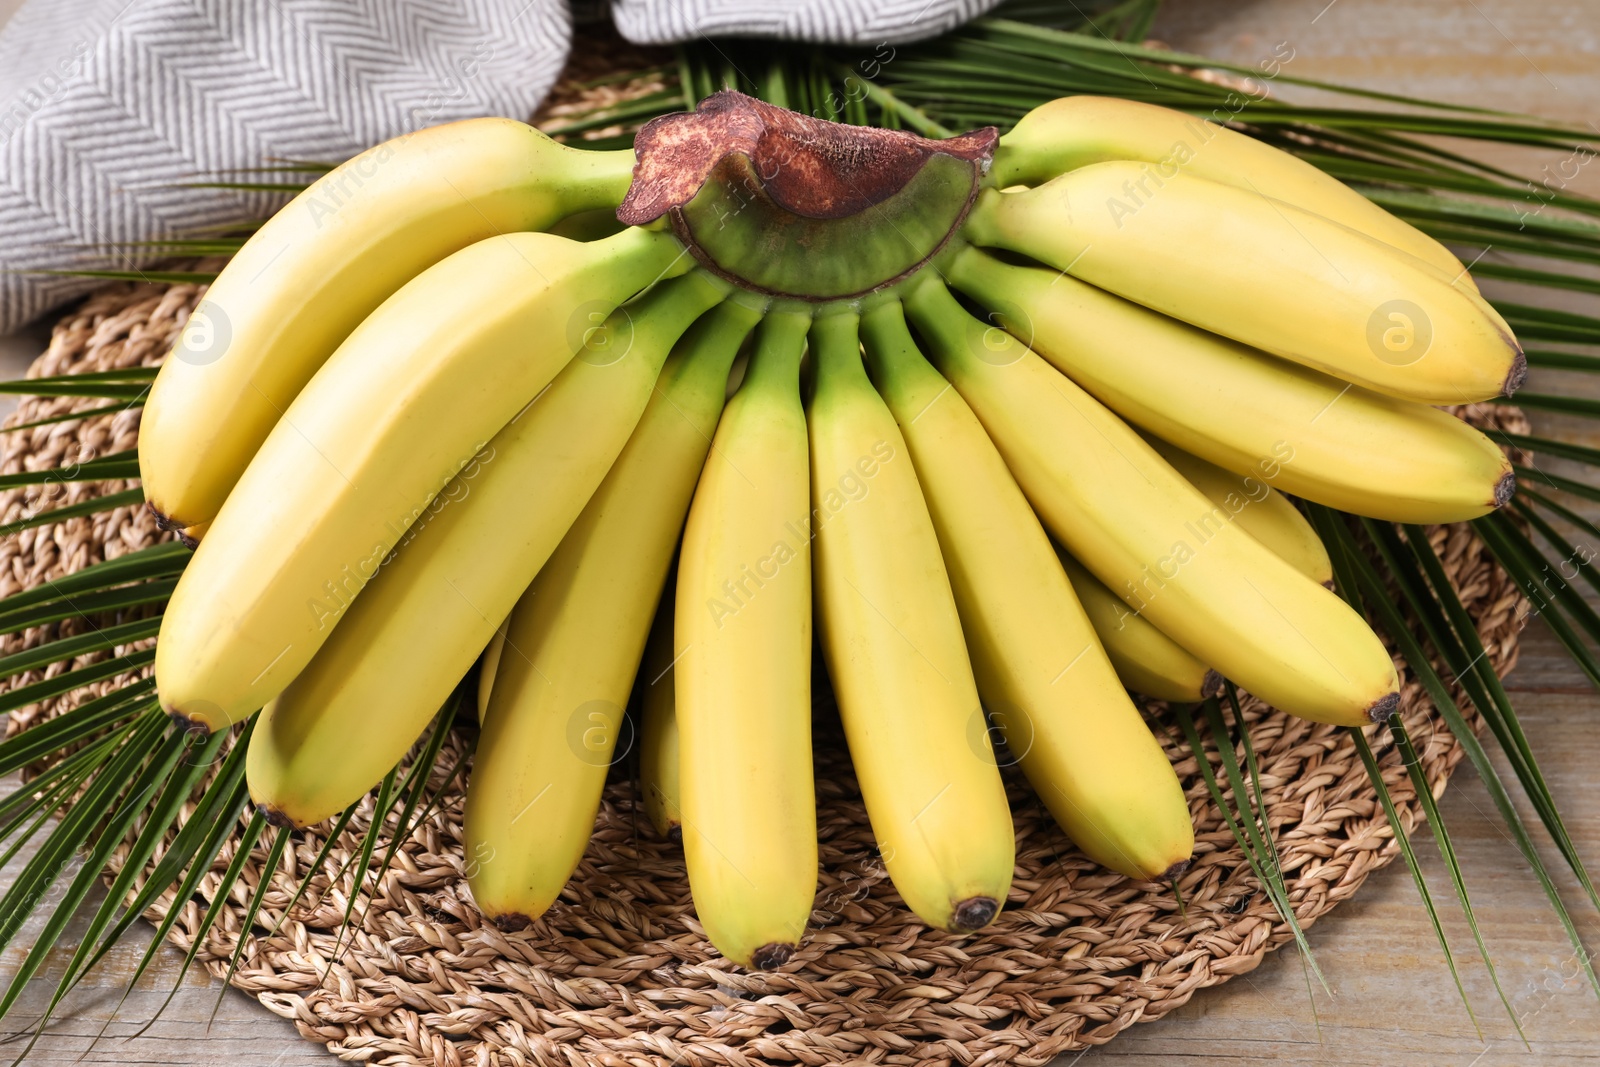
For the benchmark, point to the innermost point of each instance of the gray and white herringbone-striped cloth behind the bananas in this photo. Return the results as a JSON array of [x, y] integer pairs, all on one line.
[[111, 111]]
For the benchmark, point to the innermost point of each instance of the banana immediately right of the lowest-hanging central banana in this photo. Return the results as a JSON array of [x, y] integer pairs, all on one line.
[[895, 653]]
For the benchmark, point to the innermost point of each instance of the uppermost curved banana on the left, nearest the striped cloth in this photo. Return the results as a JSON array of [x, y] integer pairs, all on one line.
[[322, 265]]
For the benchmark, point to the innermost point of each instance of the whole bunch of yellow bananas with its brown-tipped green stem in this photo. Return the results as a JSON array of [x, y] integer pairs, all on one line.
[[1020, 415]]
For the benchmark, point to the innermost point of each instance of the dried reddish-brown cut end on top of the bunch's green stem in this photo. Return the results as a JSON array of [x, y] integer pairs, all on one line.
[[812, 167]]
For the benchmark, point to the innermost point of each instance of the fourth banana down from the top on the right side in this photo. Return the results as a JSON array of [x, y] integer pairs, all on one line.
[[1153, 538]]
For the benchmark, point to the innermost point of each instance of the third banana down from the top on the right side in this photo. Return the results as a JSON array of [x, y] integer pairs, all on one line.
[[1244, 410]]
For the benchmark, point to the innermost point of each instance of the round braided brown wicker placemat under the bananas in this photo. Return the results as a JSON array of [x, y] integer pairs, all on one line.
[[620, 972]]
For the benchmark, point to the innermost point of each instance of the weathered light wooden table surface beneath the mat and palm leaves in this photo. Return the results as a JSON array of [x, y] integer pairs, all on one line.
[[1390, 996]]
